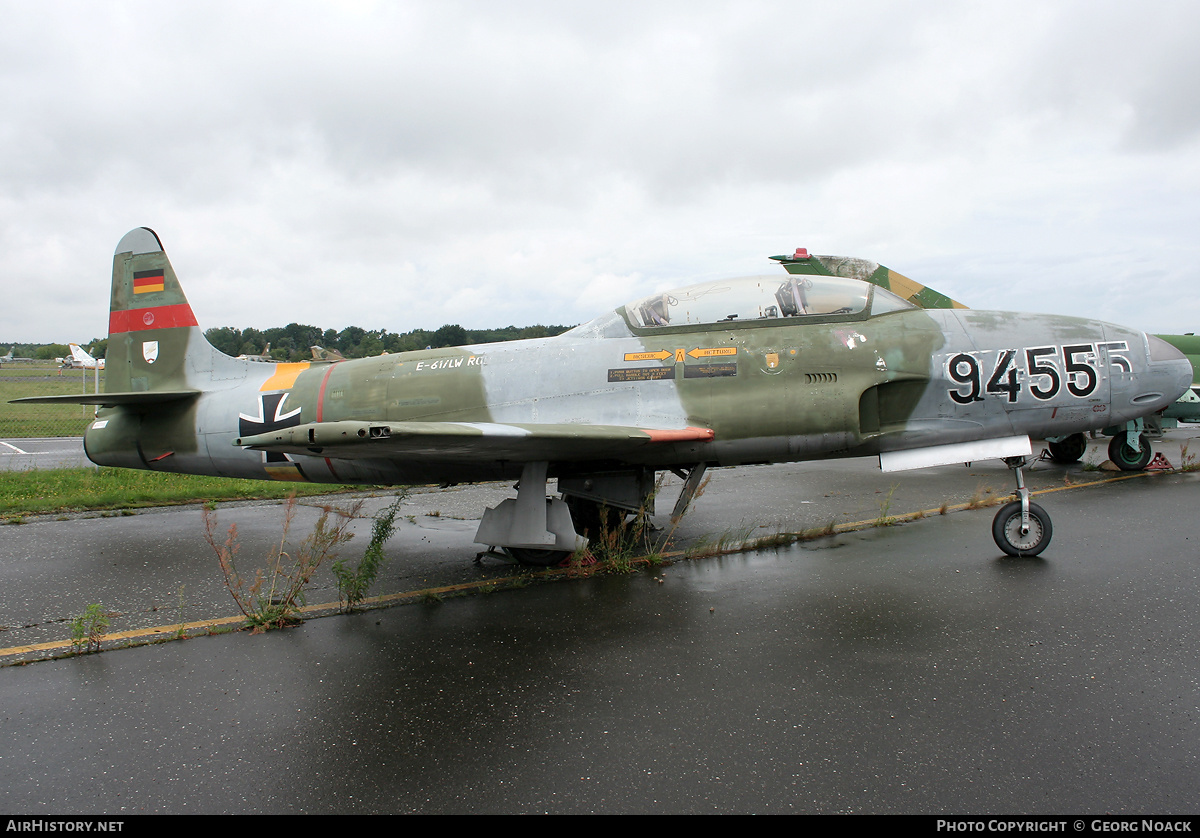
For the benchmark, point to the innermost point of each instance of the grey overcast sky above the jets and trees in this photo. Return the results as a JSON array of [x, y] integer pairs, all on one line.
[[409, 165]]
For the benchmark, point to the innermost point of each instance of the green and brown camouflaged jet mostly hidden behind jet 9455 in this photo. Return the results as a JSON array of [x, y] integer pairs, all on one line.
[[1131, 446]]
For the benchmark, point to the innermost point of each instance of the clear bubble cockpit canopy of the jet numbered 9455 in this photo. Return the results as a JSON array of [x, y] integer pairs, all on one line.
[[763, 298]]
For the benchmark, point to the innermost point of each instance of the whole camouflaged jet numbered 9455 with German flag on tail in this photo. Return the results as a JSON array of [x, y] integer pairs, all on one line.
[[753, 370]]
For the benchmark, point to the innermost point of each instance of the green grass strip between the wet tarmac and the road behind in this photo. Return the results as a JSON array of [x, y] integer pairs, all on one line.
[[56, 490]]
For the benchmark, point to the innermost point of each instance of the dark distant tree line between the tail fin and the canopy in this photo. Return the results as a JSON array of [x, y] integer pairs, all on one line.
[[293, 343]]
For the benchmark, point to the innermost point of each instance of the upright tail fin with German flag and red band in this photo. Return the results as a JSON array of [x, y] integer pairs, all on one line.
[[151, 324]]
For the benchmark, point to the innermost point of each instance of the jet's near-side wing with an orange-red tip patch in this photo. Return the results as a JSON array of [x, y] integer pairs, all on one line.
[[449, 441]]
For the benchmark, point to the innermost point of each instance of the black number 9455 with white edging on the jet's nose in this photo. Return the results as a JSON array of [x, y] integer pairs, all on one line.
[[1047, 370]]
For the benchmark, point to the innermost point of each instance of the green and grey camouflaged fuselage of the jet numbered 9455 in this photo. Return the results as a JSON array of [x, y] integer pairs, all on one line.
[[770, 391]]
